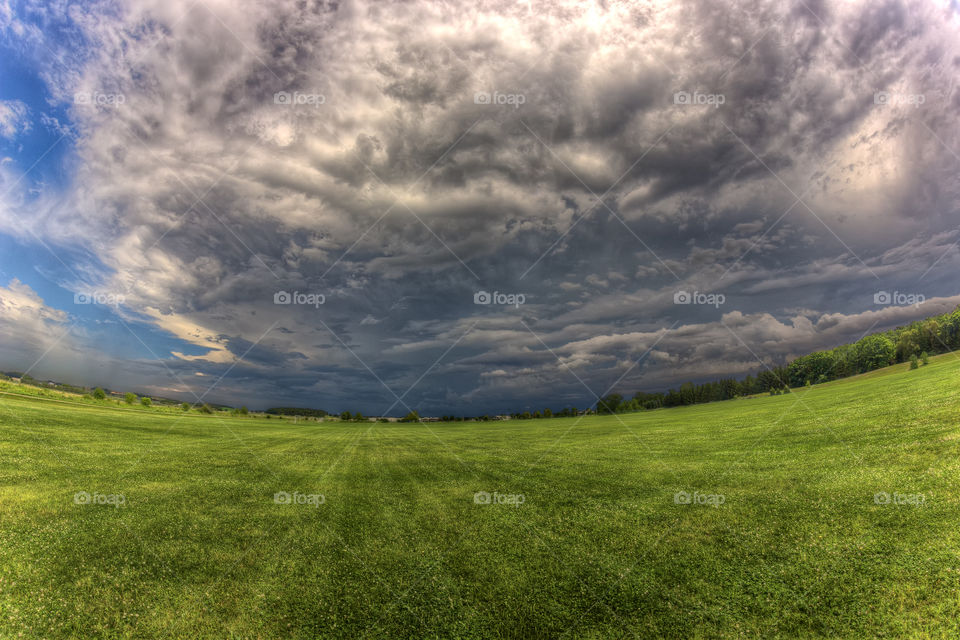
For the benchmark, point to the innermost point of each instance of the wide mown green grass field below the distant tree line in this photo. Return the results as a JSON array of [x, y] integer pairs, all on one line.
[[596, 547]]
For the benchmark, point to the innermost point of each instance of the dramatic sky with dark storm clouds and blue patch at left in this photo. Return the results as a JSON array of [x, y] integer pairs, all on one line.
[[467, 207]]
